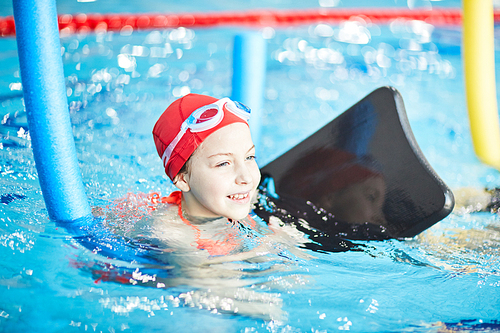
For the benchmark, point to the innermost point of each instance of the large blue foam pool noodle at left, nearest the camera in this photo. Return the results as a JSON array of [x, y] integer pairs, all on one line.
[[47, 110]]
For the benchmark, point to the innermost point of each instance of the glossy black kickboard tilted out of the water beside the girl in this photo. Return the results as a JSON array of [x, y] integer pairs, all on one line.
[[363, 166]]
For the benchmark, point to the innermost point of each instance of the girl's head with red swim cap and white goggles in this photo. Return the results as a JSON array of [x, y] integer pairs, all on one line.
[[208, 153]]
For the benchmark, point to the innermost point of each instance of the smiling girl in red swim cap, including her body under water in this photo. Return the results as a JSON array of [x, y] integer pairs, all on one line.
[[206, 229]]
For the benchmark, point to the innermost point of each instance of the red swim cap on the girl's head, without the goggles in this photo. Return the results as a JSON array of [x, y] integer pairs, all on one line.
[[168, 129]]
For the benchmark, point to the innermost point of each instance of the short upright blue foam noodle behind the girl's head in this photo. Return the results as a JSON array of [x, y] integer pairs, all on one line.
[[249, 73]]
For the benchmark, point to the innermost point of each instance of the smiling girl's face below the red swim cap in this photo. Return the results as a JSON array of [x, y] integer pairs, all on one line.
[[222, 176]]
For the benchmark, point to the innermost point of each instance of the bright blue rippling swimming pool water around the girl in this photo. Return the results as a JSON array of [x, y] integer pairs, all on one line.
[[117, 87]]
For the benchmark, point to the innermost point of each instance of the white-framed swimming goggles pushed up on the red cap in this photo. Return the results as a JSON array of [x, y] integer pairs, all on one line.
[[205, 118]]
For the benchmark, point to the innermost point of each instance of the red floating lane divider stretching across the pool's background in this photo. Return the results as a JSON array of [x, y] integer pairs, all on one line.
[[82, 23]]
